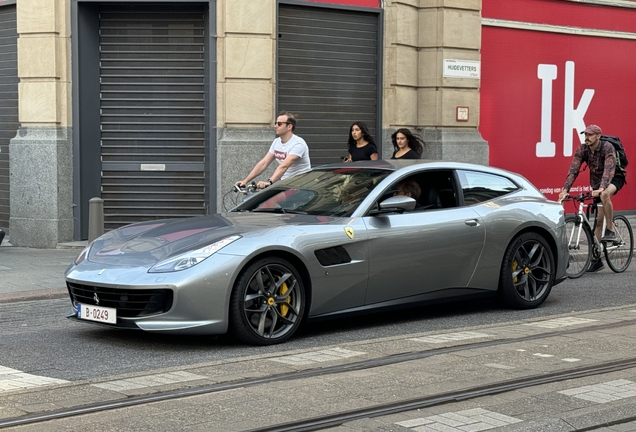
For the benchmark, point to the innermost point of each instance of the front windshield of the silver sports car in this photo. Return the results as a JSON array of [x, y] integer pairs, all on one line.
[[336, 192]]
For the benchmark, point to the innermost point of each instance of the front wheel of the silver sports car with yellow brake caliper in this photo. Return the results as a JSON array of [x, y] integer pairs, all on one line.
[[267, 303]]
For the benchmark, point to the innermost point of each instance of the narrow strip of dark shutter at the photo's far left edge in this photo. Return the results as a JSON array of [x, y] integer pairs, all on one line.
[[8, 101]]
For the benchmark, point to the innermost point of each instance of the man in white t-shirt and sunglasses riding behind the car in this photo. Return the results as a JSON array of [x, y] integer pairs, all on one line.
[[289, 150]]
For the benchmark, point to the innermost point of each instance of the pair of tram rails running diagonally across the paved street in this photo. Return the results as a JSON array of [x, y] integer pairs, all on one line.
[[378, 410]]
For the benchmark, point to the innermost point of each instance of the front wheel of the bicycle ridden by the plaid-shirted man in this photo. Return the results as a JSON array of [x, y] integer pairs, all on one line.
[[580, 243]]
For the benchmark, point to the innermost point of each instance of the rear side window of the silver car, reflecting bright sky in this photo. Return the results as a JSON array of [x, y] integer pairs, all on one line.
[[478, 187]]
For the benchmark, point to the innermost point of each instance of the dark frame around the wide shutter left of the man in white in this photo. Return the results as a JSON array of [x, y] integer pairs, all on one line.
[[85, 106]]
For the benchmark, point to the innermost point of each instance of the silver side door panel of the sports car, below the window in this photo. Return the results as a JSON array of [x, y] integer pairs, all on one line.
[[421, 252]]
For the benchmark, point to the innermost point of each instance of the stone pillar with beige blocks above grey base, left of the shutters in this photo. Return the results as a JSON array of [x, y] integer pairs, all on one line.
[[41, 163]]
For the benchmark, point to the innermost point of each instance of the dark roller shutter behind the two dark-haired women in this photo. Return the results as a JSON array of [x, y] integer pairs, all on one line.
[[328, 74]]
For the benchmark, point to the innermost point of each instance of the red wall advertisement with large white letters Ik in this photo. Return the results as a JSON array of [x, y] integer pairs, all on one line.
[[539, 90]]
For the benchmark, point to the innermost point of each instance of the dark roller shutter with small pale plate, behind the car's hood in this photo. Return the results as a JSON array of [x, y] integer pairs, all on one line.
[[152, 101]]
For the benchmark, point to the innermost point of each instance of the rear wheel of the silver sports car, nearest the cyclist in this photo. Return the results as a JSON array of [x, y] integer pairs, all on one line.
[[527, 272]]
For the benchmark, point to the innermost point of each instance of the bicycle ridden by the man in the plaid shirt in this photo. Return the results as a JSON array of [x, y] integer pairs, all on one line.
[[583, 246]]
